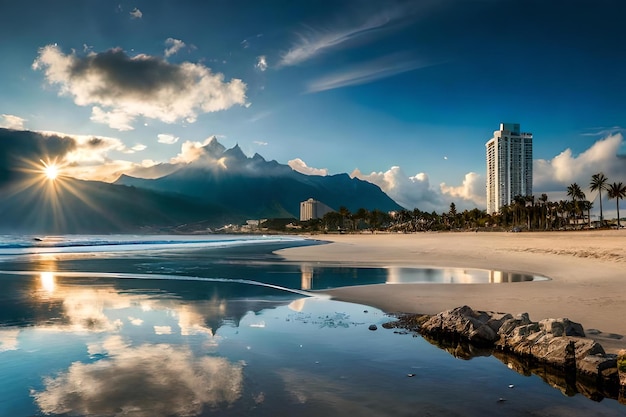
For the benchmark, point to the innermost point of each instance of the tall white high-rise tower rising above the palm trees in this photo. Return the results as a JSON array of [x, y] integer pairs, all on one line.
[[509, 166]]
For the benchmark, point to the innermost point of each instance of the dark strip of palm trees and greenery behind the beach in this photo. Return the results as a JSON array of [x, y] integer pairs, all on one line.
[[524, 213]]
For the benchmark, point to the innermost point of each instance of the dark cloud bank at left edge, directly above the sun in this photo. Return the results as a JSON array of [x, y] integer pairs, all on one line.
[[20, 149]]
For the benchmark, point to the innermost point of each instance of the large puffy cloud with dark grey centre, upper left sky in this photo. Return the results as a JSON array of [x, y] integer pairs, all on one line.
[[121, 88]]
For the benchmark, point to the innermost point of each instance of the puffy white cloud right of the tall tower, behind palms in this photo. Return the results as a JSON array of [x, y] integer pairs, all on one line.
[[566, 168]]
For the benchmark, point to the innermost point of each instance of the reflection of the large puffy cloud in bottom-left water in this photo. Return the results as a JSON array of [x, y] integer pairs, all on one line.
[[147, 380]]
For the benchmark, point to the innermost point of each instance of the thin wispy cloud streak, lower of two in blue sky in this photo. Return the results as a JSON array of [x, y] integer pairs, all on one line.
[[368, 72]]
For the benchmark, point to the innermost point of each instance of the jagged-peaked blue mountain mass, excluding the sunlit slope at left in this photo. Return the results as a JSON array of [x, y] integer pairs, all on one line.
[[259, 188]]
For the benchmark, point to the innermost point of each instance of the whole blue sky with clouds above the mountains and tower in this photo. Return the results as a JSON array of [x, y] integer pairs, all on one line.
[[404, 94]]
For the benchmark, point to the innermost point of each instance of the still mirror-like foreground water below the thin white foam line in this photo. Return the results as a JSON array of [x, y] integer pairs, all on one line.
[[120, 347]]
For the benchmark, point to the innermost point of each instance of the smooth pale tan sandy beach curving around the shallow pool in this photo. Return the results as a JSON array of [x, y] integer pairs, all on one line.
[[587, 271]]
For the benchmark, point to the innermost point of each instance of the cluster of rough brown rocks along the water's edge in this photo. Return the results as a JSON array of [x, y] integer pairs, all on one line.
[[556, 343]]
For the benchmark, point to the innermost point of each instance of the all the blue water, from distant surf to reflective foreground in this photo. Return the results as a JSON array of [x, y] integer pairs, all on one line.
[[222, 326]]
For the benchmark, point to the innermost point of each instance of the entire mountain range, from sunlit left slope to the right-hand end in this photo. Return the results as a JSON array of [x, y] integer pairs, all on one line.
[[220, 186]]
